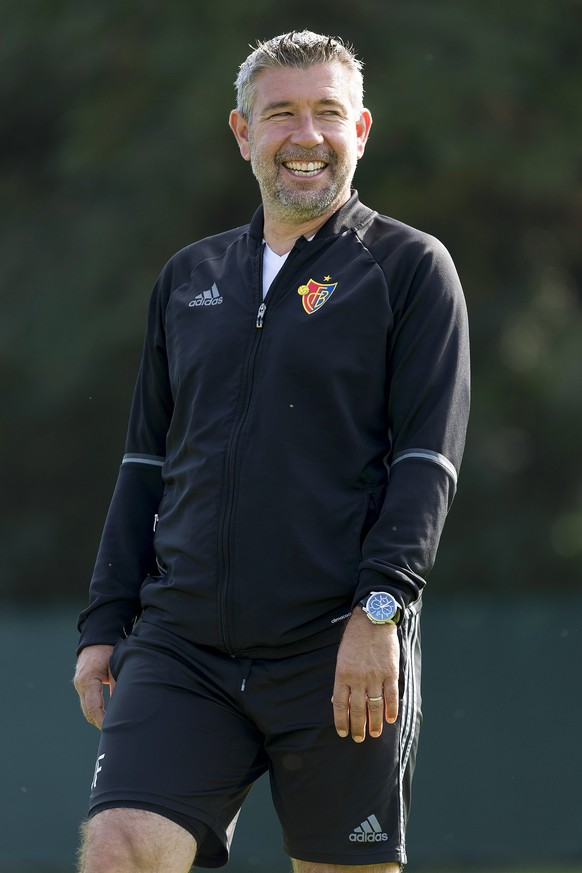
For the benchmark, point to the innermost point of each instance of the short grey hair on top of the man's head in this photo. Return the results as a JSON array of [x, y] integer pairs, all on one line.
[[301, 50]]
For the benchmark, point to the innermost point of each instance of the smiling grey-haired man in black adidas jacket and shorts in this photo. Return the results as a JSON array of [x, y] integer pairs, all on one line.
[[293, 448]]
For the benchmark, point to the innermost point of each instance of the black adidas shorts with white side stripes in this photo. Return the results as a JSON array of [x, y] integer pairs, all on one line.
[[187, 734]]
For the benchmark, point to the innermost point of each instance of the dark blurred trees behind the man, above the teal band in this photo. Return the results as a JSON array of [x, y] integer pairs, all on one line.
[[115, 152]]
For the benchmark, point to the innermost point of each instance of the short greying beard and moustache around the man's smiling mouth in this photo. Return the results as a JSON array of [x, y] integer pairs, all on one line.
[[294, 199]]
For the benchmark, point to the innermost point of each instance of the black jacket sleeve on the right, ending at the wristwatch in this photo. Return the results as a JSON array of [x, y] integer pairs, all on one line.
[[428, 406]]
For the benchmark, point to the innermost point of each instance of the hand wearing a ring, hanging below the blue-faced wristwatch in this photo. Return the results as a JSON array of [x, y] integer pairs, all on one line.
[[367, 667]]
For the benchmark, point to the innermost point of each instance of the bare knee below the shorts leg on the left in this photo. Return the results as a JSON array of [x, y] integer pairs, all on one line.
[[135, 841]]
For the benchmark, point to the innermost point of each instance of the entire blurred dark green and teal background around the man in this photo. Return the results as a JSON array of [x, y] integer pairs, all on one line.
[[115, 153]]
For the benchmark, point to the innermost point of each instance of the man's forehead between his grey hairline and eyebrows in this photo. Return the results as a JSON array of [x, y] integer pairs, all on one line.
[[320, 82]]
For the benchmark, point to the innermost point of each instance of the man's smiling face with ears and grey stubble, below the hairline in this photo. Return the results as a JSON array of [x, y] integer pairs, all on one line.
[[303, 139]]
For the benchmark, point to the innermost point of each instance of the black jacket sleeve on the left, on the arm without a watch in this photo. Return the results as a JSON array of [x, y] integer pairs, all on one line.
[[126, 552]]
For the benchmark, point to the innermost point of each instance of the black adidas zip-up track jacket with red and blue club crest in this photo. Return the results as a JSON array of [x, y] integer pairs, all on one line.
[[283, 460]]
